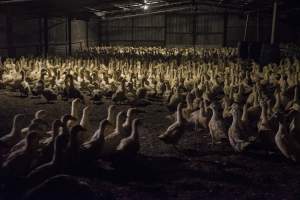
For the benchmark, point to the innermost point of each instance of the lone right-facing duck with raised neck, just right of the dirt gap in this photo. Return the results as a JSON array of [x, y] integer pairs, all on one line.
[[175, 131]]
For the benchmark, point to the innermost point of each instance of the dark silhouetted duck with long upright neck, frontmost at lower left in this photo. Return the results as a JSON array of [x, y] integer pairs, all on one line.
[[52, 167]]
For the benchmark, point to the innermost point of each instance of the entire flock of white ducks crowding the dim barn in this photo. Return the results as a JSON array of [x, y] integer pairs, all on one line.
[[205, 89]]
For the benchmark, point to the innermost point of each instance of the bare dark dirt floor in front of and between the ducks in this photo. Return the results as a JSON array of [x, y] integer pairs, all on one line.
[[200, 171]]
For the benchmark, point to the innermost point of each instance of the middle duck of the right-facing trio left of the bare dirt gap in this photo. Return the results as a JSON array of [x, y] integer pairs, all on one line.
[[113, 139]]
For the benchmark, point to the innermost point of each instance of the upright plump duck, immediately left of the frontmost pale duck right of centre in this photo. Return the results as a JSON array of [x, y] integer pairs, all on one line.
[[216, 125]]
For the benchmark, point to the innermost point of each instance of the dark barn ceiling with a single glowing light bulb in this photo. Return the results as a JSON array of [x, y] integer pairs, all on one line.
[[112, 9]]
